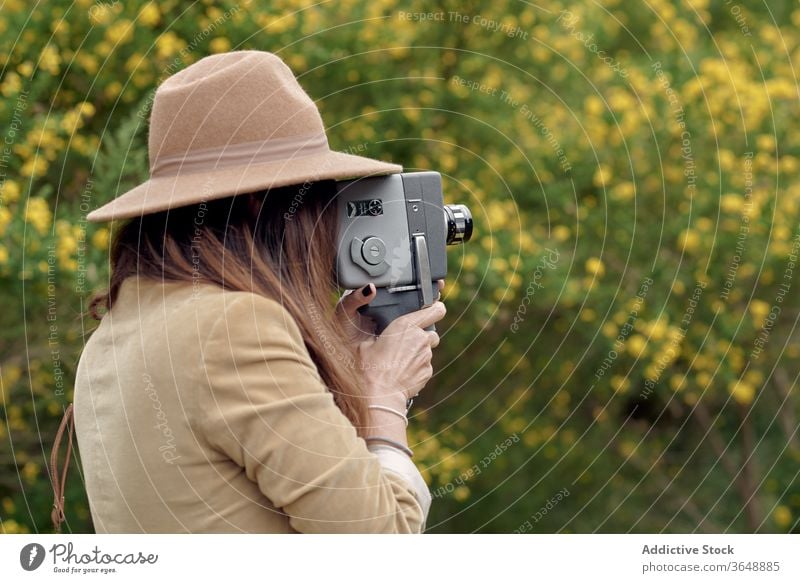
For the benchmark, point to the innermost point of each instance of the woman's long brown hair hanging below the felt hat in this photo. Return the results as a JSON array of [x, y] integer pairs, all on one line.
[[280, 244]]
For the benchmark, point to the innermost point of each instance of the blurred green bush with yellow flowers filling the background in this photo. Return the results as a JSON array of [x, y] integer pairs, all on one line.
[[621, 329]]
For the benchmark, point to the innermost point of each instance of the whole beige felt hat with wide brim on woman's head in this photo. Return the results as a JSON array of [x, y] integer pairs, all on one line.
[[233, 123]]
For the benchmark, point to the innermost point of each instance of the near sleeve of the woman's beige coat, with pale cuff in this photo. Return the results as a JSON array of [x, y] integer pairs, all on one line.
[[264, 405]]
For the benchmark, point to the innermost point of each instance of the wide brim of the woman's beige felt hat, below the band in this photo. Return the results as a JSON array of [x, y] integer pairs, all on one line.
[[162, 193]]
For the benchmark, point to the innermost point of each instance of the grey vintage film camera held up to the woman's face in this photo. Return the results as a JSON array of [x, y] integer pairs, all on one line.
[[393, 232]]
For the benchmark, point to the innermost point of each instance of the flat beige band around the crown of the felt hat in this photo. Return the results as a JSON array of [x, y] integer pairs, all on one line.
[[243, 154]]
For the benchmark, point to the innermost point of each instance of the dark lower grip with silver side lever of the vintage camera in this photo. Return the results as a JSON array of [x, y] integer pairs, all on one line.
[[391, 303]]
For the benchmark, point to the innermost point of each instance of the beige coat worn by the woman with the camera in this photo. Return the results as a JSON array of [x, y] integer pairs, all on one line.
[[200, 410]]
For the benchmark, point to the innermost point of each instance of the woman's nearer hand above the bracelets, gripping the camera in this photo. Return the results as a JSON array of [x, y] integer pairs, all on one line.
[[397, 364]]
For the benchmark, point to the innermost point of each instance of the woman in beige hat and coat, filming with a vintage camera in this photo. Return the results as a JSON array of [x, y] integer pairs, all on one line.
[[223, 391]]
